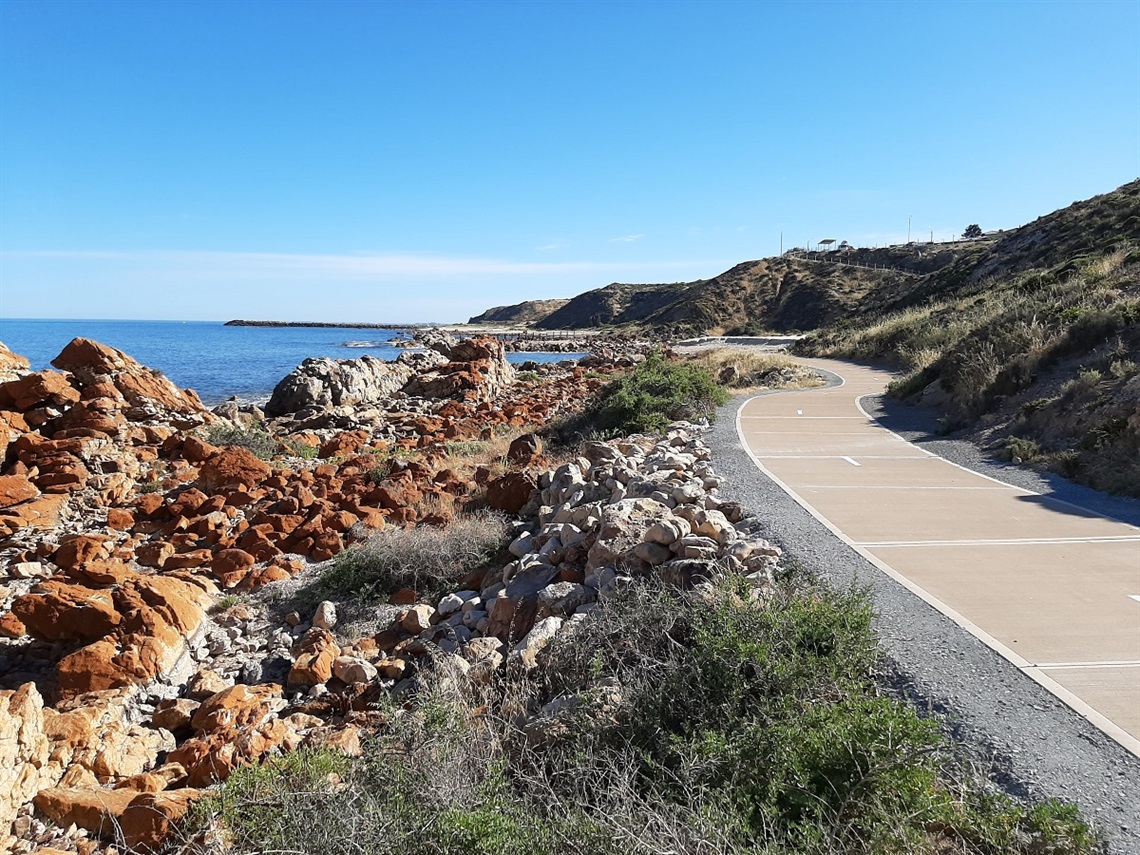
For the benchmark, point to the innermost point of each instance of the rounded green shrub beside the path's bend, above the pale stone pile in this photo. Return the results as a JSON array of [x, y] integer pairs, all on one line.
[[649, 398]]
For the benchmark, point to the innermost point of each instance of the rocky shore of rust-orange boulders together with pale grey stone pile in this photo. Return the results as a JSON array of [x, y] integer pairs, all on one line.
[[133, 678]]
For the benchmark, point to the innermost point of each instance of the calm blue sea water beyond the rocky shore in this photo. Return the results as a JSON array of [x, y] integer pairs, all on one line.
[[215, 361]]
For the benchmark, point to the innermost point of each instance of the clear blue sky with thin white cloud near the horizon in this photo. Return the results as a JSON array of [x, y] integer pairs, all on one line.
[[424, 161]]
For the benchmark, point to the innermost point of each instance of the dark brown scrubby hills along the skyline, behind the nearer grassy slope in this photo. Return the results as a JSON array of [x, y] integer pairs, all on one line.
[[807, 291]]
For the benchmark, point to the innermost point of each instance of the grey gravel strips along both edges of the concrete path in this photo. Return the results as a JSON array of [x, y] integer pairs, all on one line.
[[1028, 740]]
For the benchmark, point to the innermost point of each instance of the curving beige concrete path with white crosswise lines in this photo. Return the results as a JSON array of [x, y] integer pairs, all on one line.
[[1053, 588]]
